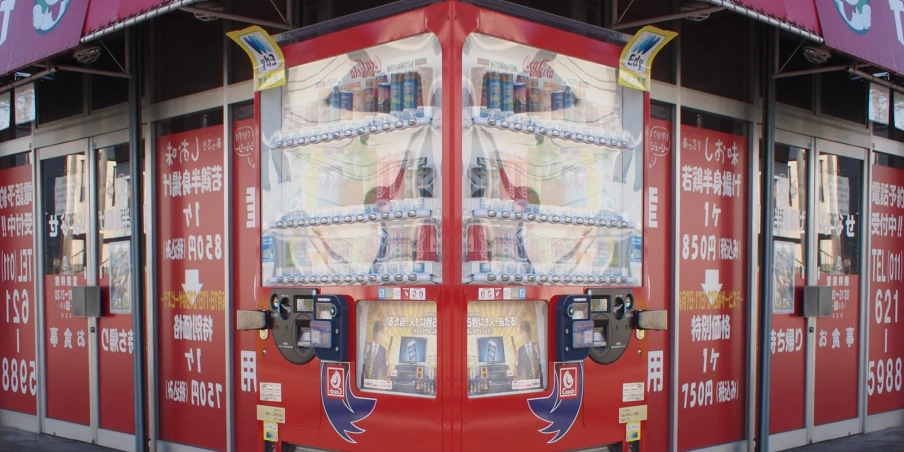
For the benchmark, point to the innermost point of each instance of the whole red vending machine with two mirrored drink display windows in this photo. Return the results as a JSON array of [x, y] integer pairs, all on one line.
[[452, 236]]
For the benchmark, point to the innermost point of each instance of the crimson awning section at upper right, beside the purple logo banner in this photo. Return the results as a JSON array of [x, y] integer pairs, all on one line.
[[795, 16]]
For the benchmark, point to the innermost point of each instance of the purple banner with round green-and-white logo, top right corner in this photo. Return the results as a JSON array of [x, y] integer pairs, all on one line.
[[870, 31]]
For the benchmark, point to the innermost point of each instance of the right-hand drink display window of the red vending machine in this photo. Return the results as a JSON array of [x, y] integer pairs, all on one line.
[[552, 161]]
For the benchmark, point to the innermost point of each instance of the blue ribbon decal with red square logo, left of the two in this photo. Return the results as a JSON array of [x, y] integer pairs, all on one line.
[[343, 409]]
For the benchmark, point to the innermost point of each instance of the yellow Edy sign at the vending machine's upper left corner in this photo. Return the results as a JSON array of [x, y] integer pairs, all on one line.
[[266, 56]]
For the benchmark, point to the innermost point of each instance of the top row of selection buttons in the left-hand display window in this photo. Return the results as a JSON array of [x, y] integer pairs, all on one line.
[[349, 129]]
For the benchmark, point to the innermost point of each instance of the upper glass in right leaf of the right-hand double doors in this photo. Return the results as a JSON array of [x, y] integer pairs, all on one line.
[[839, 214]]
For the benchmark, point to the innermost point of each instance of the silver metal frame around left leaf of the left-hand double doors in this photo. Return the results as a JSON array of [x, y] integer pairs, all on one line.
[[85, 433]]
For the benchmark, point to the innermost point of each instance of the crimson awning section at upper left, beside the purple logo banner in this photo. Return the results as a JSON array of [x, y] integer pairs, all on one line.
[[109, 16]]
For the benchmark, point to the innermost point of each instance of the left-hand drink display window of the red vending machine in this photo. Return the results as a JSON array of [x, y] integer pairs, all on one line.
[[351, 168]]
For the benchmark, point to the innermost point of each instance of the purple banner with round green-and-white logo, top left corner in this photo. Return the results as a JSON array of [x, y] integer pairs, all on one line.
[[31, 31]]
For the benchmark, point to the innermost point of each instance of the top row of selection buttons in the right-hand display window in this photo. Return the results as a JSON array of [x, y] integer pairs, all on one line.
[[555, 129]]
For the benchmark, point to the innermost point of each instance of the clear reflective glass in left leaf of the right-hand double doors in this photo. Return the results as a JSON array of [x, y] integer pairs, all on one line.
[[790, 224]]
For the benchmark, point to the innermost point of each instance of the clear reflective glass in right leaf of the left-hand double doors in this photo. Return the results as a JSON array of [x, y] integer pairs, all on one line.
[[114, 223]]
